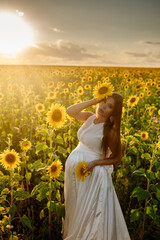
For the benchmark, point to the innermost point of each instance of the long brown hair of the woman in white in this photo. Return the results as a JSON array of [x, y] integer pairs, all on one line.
[[108, 125]]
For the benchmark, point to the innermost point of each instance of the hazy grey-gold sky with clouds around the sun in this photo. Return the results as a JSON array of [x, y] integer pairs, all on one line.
[[89, 32]]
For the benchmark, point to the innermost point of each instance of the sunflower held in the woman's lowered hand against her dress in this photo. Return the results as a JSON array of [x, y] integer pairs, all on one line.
[[81, 171]]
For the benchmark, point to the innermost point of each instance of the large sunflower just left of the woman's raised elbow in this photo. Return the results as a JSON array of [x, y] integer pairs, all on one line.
[[57, 115]]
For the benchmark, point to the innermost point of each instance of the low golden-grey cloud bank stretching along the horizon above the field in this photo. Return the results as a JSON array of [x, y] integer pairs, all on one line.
[[65, 52]]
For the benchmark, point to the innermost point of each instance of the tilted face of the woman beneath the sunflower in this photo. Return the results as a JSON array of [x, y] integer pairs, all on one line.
[[106, 107]]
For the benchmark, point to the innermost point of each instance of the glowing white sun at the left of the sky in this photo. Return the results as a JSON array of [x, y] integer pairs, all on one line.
[[15, 34]]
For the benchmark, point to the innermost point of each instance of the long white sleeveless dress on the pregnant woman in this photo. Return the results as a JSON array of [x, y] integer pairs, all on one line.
[[92, 209]]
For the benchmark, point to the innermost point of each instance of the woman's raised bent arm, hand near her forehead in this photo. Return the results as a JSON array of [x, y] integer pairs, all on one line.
[[75, 109]]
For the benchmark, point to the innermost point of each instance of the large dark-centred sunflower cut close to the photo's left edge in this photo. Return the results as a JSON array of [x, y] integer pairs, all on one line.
[[9, 159]]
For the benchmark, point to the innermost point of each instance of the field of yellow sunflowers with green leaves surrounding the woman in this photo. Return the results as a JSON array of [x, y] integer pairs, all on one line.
[[37, 136]]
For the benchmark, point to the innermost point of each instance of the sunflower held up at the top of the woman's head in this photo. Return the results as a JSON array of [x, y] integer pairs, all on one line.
[[103, 90]]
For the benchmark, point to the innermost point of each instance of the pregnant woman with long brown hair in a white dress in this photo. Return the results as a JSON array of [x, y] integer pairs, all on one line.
[[92, 209]]
